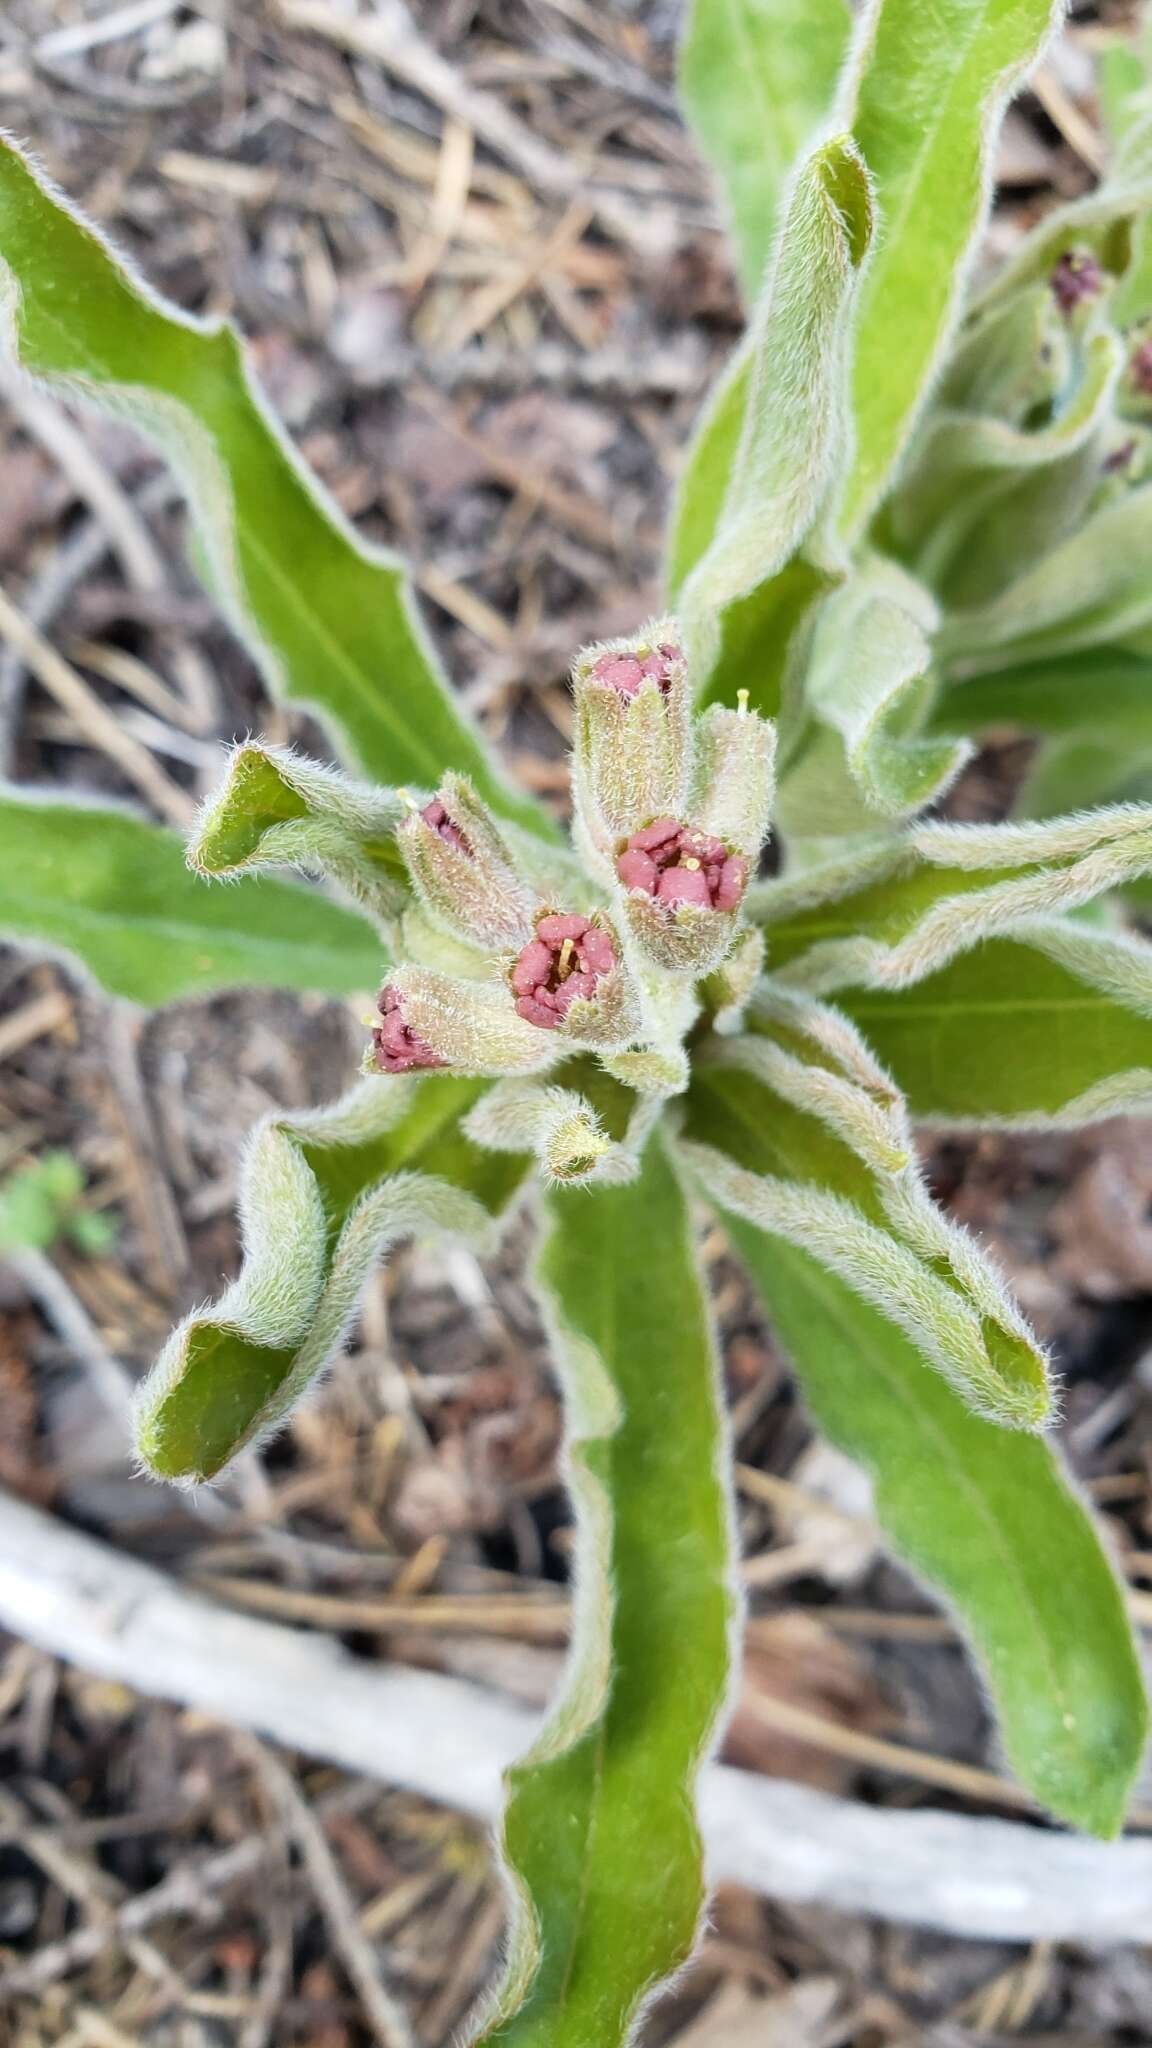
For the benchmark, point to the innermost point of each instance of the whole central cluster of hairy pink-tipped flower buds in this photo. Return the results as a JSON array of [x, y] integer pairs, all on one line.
[[516, 955]]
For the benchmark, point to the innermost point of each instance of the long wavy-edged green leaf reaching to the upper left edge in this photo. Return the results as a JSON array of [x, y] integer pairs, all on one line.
[[329, 617]]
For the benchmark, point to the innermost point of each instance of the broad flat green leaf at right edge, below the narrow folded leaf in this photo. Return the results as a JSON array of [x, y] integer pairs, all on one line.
[[1014, 1035]]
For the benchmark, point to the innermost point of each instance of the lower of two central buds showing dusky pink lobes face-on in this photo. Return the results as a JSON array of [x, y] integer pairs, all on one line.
[[571, 978]]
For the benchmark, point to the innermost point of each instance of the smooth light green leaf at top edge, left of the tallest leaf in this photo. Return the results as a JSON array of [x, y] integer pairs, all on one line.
[[757, 77]]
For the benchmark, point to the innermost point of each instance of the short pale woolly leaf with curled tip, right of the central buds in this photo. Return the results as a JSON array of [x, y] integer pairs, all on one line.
[[862, 757]]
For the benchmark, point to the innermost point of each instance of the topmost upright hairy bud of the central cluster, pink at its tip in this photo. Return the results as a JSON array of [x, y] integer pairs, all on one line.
[[632, 734]]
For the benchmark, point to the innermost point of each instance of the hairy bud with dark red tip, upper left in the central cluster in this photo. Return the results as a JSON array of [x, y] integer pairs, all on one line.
[[464, 871]]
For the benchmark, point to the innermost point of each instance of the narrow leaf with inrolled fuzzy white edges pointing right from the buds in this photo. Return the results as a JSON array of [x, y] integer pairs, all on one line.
[[893, 914]]
